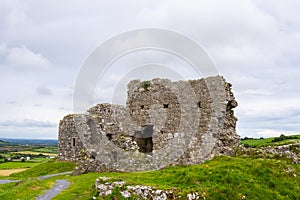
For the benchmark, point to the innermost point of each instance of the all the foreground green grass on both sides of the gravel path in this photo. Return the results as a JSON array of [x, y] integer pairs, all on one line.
[[220, 178]]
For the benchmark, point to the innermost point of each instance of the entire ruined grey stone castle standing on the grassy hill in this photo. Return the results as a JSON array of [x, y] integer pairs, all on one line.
[[163, 123]]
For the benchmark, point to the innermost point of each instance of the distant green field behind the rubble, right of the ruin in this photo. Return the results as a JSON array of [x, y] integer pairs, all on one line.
[[268, 141]]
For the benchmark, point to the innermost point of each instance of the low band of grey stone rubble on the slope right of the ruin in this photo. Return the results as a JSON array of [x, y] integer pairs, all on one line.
[[289, 151]]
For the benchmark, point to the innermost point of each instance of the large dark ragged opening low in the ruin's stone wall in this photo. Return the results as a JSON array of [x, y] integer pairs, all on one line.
[[144, 139]]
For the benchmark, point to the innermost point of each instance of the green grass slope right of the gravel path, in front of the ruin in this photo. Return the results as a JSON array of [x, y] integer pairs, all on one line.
[[221, 178]]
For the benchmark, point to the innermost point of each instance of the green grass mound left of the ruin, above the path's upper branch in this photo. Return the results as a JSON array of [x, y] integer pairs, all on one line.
[[50, 167]]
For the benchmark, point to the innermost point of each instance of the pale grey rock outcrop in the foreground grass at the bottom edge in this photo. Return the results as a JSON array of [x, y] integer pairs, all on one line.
[[105, 187]]
